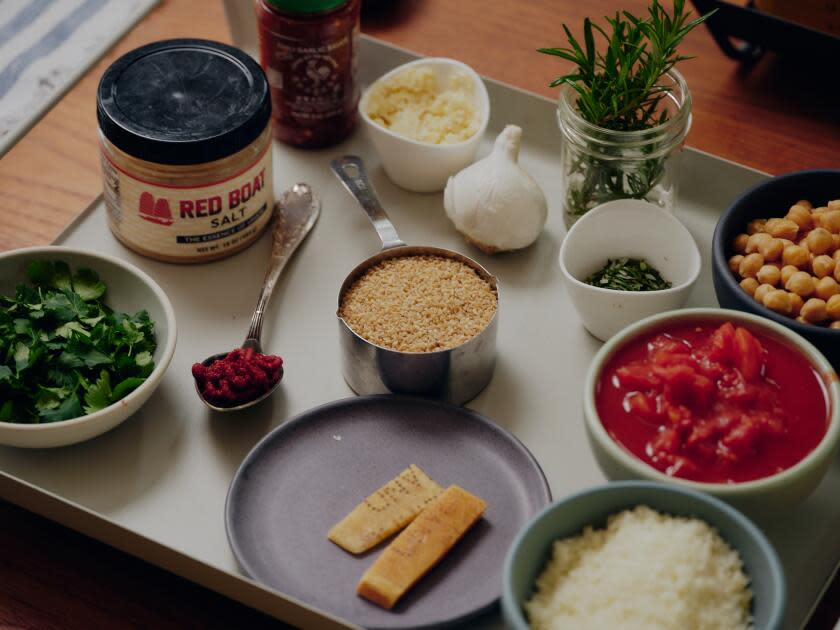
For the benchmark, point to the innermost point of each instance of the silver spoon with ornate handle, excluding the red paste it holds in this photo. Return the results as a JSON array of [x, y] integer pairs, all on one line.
[[296, 213]]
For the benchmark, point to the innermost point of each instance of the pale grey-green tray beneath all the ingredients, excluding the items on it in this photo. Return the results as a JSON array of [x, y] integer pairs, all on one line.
[[155, 486]]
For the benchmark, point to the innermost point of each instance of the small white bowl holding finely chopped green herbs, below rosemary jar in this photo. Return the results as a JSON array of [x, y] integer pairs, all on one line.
[[626, 260]]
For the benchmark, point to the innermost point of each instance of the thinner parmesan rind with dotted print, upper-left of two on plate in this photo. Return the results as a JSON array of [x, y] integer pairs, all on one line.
[[386, 511]]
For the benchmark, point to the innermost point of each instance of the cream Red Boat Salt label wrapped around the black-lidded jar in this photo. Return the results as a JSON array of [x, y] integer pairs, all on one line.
[[189, 222]]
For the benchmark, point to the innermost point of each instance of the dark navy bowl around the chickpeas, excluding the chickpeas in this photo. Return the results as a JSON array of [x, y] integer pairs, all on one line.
[[772, 199]]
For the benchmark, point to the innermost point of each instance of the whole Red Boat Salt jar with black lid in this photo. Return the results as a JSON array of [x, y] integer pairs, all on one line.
[[186, 150]]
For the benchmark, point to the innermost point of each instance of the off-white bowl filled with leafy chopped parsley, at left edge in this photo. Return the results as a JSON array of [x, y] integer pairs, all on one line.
[[85, 339]]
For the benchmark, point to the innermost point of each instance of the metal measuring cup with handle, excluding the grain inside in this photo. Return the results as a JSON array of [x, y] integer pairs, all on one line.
[[455, 375]]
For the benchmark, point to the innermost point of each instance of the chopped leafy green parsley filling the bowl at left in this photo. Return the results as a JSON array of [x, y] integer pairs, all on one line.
[[63, 352]]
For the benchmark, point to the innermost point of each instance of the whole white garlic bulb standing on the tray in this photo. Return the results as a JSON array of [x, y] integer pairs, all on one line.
[[494, 203]]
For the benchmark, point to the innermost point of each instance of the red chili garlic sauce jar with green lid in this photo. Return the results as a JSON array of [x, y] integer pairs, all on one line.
[[308, 52]]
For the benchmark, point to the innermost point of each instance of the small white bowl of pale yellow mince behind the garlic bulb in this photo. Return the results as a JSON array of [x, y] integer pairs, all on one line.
[[426, 119]]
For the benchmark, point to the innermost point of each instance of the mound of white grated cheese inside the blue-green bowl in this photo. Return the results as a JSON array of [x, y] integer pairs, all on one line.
[[644, 571]]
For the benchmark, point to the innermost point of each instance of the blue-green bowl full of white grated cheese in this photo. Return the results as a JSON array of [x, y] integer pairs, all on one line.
[[638, 554]]
